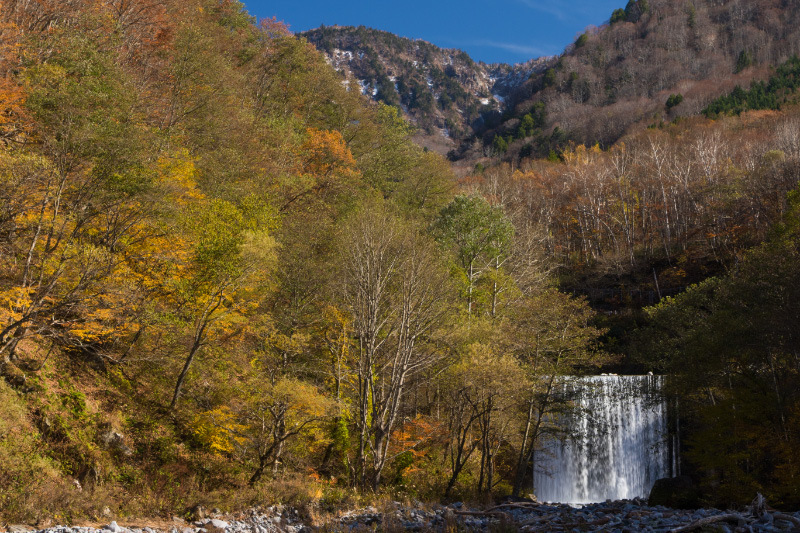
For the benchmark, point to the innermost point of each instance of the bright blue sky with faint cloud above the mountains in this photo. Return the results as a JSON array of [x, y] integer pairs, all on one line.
[[507, 31]]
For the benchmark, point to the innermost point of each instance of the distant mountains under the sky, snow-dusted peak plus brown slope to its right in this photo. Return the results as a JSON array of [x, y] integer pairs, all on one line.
[[616, 76]]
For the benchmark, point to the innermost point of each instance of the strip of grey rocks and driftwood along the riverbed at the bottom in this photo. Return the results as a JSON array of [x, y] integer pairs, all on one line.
[[626, 516]]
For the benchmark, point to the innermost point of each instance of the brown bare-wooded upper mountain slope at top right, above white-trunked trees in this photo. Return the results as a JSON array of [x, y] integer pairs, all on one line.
[[655, 61]]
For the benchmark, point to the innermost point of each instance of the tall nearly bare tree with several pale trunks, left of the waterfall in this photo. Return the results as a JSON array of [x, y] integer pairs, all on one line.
[[396, 291]]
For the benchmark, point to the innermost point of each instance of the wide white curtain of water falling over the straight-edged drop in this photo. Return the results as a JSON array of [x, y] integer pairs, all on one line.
[[620, 445]]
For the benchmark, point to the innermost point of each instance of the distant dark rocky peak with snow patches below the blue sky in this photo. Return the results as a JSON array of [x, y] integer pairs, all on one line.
[[444, 92]]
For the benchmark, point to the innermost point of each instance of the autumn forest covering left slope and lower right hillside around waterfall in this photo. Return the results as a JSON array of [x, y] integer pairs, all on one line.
[[225, 277]]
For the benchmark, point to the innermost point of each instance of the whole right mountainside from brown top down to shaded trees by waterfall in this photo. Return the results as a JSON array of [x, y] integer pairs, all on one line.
[[668, 199]]
